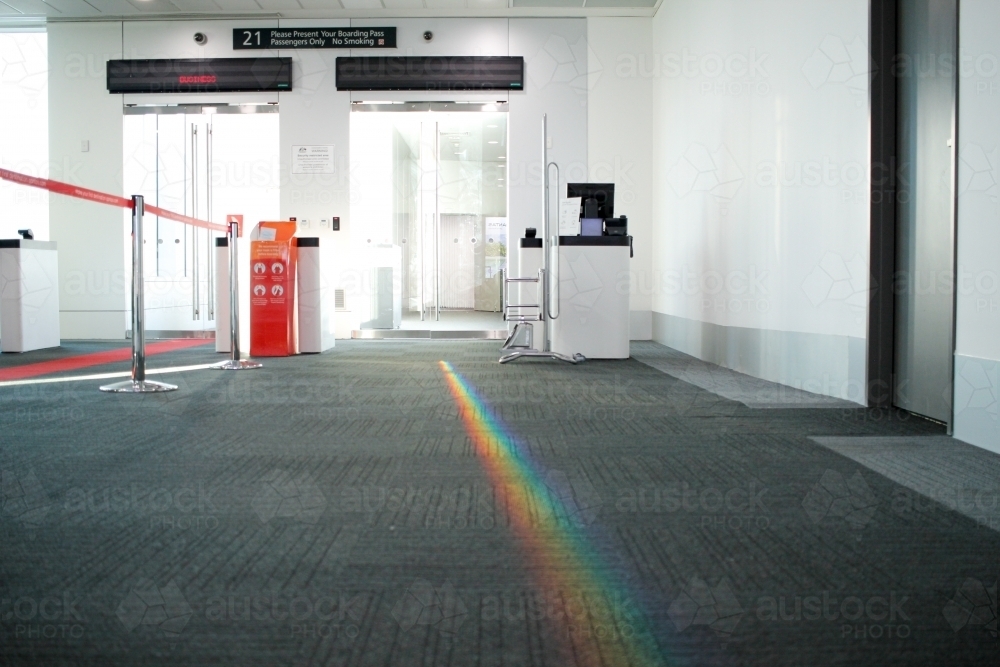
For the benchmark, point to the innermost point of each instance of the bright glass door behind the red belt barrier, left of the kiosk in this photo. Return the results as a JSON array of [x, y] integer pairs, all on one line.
[[205, 163]]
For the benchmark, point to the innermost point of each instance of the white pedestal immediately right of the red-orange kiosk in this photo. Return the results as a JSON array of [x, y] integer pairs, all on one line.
[[315, 301]]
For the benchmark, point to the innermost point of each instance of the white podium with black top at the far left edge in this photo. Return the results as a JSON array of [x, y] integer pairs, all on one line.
[[29, 295]]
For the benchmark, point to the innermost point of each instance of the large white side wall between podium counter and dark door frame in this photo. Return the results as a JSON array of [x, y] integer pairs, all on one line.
[[760, 232]]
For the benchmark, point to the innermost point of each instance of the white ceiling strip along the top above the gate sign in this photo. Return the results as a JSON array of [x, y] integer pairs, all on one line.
[[139, 9]]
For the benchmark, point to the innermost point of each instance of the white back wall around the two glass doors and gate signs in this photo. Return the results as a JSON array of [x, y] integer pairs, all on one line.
[[314, 112]]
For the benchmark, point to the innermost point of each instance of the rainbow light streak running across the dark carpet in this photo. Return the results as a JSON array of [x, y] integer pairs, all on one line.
[[556, 548]]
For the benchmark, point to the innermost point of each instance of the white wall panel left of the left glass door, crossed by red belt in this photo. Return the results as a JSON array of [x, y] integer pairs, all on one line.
[[91, 238]]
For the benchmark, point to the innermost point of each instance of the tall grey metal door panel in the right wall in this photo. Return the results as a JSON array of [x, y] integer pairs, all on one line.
[[925, 247]]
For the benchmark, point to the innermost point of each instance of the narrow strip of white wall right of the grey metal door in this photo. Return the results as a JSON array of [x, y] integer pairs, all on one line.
[[977, 345]]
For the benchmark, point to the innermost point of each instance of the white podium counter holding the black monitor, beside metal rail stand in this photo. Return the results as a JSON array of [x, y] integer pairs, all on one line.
[[593, 314]]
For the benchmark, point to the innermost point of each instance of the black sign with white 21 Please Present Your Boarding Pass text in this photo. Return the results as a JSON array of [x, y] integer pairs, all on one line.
[[314, 38]]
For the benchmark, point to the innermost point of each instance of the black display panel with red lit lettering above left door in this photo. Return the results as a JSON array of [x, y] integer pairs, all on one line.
[[201, 75]]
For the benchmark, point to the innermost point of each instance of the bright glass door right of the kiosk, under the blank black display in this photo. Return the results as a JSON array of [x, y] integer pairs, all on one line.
[[429, 193]]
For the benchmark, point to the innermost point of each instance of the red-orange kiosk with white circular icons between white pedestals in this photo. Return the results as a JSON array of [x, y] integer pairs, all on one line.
[[273, 257]]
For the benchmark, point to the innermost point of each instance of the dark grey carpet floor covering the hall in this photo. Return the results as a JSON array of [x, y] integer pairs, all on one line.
[[332, 509]]
